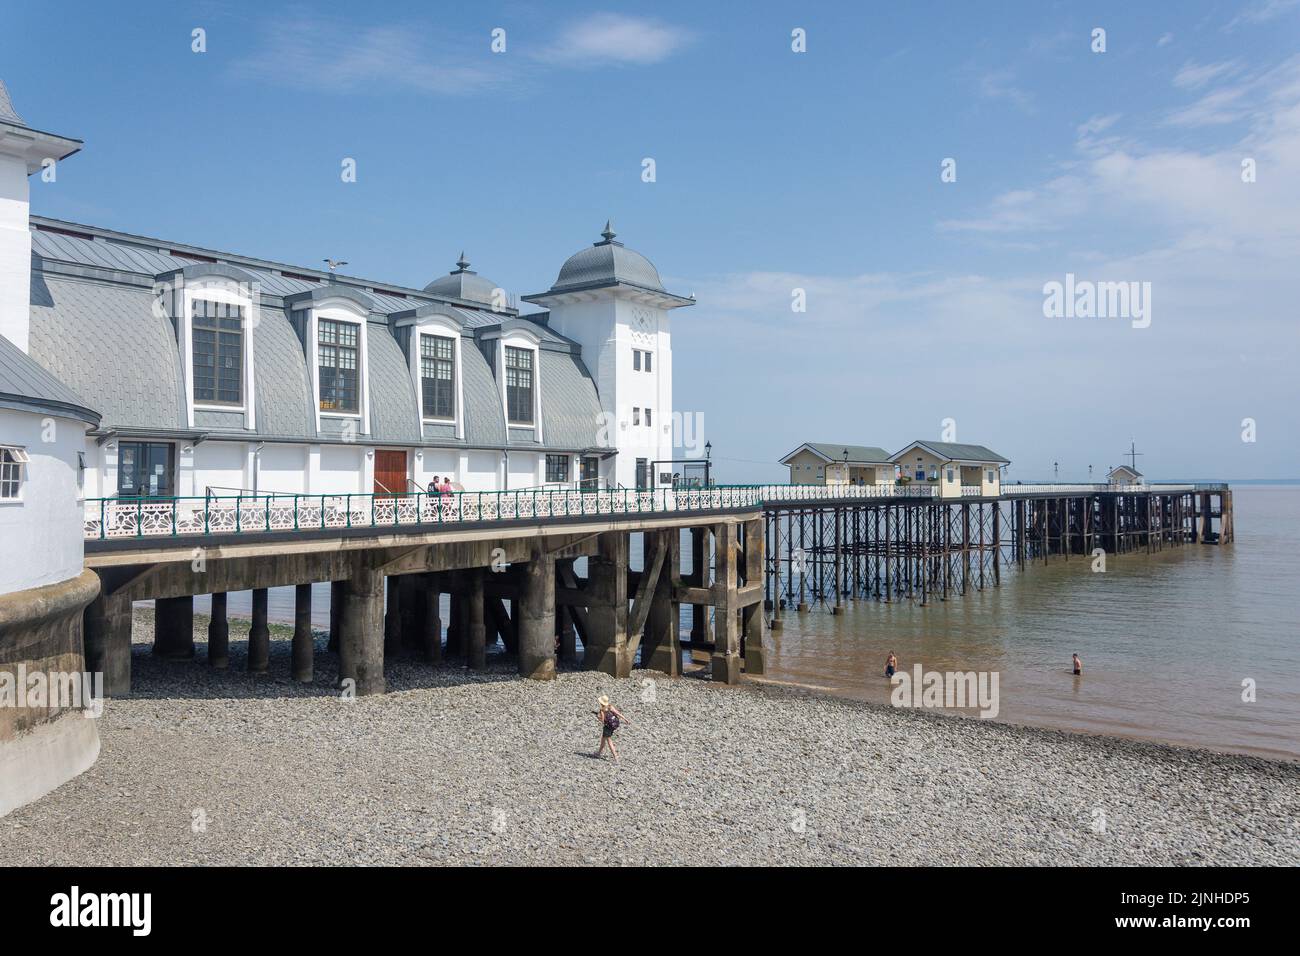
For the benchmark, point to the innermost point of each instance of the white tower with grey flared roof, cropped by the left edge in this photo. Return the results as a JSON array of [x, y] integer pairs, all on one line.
[[23, 153]]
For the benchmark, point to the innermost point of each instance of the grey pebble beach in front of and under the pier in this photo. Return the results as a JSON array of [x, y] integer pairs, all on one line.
[[480, 768]]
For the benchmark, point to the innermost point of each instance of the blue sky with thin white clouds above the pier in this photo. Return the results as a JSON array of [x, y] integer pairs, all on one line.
[[775, 171]]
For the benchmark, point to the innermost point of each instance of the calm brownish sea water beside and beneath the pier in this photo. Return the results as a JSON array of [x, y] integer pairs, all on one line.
[[1167, 641]]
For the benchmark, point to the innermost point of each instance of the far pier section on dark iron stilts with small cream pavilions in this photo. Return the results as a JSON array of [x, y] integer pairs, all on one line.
[[942, 522]]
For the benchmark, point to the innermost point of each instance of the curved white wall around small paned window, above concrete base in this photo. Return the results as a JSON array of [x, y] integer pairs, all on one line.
[[44, 529]]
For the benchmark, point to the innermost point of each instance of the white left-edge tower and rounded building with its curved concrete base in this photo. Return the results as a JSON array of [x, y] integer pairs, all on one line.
[[45, 736]]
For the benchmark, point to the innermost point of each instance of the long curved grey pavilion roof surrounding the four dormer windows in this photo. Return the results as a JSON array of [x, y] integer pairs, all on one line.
[[96, 325]]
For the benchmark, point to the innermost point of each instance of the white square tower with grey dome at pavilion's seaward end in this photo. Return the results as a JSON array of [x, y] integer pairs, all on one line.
[[610, 301]]
